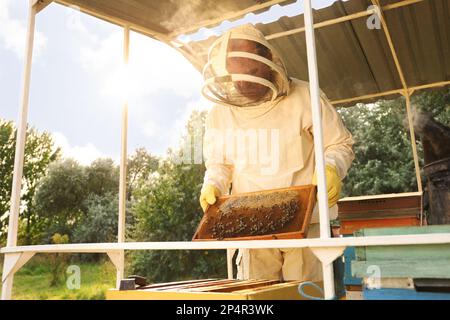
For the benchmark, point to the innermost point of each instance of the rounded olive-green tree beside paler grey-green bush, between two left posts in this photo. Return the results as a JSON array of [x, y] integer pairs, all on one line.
[[65, 193]]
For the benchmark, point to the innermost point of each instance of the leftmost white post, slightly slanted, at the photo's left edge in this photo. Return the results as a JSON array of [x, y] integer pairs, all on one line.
[[20, 149]]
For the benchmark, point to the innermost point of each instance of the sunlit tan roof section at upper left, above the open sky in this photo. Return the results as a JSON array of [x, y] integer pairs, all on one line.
[[170, 18]]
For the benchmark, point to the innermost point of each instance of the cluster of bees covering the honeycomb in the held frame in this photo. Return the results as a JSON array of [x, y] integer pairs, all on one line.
[[253, 215]]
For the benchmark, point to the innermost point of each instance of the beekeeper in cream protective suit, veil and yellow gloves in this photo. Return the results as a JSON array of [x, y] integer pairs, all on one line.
[[259, 136]]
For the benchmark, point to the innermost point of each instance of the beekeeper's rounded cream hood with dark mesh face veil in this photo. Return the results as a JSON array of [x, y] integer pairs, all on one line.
[[244, 86]]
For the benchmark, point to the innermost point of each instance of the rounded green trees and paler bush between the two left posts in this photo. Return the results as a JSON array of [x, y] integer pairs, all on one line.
[[69, 195]]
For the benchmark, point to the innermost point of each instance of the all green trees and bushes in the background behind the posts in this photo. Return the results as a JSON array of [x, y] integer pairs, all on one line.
[[81, 202]]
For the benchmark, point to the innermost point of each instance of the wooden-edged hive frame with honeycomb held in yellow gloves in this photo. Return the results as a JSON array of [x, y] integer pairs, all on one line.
[[270, 214]]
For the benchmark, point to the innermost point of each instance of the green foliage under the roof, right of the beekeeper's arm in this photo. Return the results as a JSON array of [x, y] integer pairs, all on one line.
[[383, 156]]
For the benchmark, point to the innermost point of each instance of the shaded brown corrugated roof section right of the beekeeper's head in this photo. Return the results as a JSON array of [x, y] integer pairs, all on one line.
[[355, 61]]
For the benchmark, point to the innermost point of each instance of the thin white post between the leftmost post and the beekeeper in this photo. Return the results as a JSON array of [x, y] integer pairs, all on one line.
[[123, 161]]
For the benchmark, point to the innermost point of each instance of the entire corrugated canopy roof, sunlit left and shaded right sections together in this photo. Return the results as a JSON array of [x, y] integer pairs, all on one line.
[[356, 64]]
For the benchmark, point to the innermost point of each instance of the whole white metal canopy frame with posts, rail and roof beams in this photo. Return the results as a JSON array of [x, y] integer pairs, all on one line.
[[327, 249]]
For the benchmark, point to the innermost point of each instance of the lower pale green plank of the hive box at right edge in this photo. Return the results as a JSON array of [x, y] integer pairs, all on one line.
[[403, 268]]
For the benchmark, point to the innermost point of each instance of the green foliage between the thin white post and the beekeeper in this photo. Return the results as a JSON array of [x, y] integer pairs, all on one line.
[[167, 209]]
